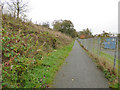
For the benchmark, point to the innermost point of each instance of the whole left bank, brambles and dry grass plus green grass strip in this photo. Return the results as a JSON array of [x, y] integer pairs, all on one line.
[[24, 46]]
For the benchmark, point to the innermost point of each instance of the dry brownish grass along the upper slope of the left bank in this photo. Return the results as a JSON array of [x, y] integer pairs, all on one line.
[[10, 24]]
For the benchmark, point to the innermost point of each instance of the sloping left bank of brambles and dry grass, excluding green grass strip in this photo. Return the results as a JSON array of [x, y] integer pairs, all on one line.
[[24, 46]]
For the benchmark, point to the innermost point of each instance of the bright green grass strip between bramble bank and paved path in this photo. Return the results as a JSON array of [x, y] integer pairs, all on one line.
[[42, 75]]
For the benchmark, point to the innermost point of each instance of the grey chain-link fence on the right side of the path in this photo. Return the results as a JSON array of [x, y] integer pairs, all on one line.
[[105, 48]]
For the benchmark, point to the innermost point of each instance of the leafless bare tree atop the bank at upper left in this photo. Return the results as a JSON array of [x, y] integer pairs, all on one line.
[[17, 7]]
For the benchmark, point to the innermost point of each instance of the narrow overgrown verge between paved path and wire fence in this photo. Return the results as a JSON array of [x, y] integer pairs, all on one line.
[[103, 63]]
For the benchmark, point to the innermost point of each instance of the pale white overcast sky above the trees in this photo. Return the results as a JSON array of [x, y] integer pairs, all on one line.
[[98, 15]]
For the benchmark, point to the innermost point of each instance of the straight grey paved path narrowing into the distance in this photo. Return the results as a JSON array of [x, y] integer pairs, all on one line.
[[79, 71]]
